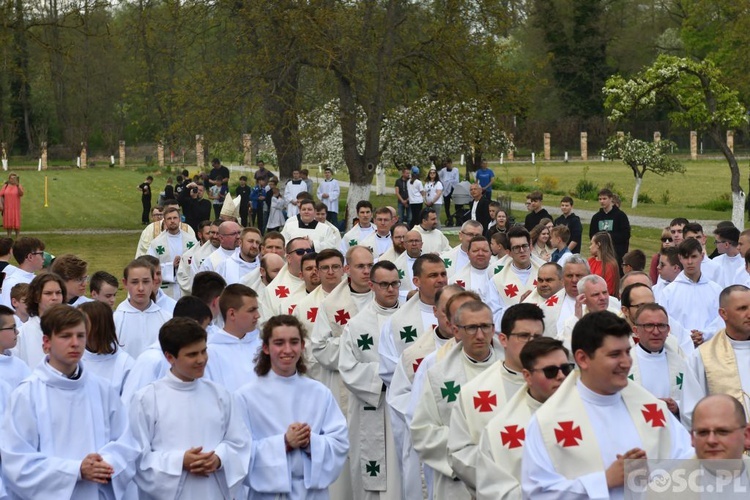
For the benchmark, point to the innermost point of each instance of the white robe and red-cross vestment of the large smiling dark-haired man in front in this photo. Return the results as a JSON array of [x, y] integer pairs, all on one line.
[[591, 432]]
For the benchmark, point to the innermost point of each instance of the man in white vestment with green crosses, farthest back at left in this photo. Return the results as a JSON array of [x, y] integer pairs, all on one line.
[[168, 247]]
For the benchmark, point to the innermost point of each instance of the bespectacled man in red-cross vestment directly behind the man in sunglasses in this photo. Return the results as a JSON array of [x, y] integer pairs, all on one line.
[[487, 393]]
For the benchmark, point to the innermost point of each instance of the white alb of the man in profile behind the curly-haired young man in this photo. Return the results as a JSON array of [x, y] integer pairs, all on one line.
[[231, 360]]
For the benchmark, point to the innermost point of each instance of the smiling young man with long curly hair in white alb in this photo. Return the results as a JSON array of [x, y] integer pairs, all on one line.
[[299, 434]]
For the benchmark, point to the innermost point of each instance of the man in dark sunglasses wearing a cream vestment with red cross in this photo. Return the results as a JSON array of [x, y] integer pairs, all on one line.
[[545, 366]]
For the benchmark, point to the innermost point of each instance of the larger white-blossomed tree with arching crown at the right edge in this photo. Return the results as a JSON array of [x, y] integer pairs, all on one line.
[[697, 98]]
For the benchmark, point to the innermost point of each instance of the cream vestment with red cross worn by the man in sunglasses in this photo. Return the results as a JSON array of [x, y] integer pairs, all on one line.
[[501, 448]]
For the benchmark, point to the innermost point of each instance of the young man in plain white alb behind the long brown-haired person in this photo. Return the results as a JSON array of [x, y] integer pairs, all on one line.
[[138, 318]]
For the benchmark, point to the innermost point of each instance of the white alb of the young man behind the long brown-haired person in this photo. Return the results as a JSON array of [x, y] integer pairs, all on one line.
[[136, 330]]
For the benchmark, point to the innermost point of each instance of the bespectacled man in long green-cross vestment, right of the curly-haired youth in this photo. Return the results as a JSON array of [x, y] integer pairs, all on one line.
[[370, 430]]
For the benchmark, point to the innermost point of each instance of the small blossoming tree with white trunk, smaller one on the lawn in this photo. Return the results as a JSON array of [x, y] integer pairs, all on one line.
[[642, 157]]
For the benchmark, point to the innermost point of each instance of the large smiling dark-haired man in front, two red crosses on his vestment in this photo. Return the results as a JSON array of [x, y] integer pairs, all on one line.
[[571, 450]]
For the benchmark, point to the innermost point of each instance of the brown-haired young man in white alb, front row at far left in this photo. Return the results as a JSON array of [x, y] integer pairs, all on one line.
[[65, 431]]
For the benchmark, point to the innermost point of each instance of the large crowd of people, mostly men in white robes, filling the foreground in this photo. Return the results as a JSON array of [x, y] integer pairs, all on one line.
[[252, 360]]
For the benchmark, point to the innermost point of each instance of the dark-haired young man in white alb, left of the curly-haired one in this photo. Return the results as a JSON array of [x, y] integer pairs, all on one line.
[[194, 441]]
